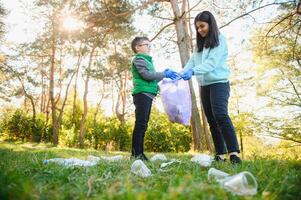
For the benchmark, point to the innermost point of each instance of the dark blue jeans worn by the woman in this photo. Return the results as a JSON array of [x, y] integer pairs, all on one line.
[[214, 99]]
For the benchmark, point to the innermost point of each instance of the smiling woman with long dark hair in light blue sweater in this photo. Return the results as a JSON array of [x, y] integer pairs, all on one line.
[[209, 66]]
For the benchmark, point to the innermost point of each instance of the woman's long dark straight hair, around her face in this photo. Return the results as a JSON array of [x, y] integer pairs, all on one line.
[[211, 40]]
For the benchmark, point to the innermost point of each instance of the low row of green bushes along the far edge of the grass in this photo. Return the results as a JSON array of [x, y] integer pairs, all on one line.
[[105, 133]]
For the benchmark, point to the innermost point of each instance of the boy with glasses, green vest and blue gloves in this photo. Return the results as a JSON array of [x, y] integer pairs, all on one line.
[[145, 80]]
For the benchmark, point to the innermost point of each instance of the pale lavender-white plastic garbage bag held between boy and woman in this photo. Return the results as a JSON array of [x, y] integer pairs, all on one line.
[[175, 96]]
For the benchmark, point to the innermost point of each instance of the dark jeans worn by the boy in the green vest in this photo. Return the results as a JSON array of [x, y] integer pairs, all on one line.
[[143, 105]]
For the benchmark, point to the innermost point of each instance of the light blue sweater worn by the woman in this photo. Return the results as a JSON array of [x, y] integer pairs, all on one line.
[[210, 65]]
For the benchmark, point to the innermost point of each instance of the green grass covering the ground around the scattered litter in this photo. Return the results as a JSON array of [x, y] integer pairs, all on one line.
[[24, 176]]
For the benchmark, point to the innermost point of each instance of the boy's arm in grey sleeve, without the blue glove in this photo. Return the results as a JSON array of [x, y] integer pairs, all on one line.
[[141, 66]]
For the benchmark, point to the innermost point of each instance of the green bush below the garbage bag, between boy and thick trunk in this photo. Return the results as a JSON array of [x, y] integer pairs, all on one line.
[[164, 136]]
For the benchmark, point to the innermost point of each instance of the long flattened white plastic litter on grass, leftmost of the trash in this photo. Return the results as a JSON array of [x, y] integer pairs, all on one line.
[[70, 162]]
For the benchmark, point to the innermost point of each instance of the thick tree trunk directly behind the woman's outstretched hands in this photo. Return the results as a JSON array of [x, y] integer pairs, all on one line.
[[183, 41]]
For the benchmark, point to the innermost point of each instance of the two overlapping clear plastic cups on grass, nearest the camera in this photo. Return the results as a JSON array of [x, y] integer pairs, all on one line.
[[243, 183]]
